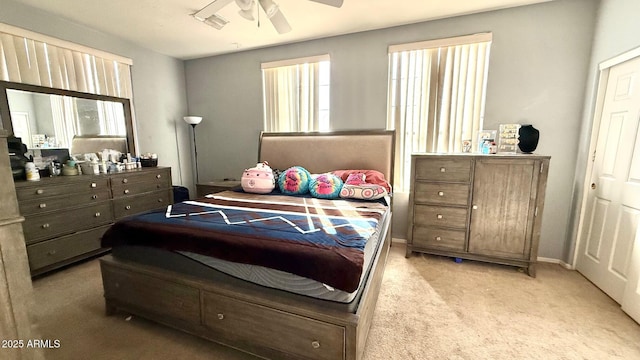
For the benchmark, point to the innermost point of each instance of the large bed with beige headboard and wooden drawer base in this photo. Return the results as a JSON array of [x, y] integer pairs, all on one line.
[[306, 316]]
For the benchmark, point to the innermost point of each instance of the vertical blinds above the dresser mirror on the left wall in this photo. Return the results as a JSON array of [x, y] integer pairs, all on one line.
[[31, 58]]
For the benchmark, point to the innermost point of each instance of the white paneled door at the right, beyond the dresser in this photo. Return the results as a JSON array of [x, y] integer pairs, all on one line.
[[612, 208]]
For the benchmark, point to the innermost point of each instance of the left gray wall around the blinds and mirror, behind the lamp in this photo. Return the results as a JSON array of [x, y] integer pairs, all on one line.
[[158, 85]]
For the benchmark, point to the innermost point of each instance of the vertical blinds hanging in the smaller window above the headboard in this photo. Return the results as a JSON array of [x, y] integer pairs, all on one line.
[[291, 97]]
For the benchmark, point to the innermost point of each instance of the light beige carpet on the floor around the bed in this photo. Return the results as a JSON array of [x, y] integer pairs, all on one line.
[[429, 308]]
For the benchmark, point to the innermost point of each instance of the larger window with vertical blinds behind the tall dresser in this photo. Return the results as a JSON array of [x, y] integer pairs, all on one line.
[[436, 96]]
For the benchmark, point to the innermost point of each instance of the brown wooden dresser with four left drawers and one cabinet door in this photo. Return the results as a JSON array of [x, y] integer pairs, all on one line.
[[478, 207]]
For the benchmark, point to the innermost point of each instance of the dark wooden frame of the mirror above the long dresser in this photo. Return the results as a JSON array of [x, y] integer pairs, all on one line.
[[5, 113]]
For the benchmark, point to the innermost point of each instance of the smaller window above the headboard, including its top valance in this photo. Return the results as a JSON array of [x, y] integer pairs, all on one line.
[[296, 94]]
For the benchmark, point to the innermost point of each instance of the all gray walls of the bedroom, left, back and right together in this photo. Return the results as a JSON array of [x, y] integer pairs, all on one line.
[[542, 70]]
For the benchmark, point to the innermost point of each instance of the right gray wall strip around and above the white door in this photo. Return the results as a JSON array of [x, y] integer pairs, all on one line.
[[617, 31]]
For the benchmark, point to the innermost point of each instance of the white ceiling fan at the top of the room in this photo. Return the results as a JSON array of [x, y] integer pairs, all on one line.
[[248, 8]]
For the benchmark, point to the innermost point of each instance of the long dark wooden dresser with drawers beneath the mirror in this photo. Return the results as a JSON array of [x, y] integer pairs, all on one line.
[[65, 216]]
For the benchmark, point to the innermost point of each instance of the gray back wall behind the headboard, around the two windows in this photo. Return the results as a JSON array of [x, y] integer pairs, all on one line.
[[538, 69]]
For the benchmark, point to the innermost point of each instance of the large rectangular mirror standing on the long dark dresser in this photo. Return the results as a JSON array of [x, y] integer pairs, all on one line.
[[46, 118]]
